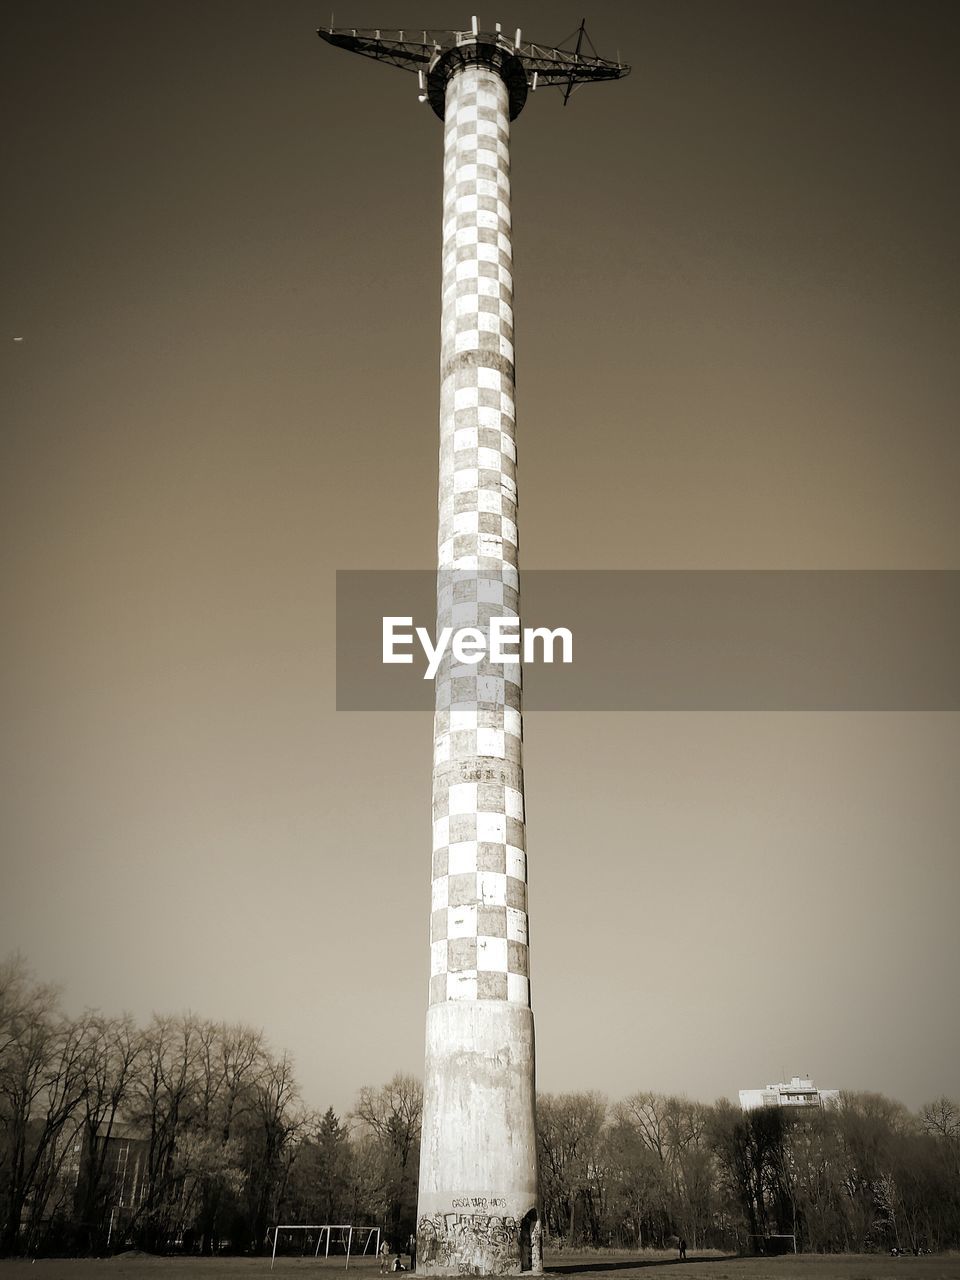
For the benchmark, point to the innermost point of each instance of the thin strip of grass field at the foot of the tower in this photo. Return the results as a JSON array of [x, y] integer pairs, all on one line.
[[621, 1268]]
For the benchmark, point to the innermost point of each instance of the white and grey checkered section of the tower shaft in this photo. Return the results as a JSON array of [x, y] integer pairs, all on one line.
[[479, 924]]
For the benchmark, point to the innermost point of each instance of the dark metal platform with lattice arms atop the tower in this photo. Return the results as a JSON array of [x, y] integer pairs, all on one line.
[[436, 56]]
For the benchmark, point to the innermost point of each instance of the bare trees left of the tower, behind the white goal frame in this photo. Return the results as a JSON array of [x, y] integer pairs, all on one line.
[[182, 1135]]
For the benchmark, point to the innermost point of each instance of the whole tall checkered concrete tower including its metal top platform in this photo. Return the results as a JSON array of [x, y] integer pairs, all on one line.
[[478, 1212]]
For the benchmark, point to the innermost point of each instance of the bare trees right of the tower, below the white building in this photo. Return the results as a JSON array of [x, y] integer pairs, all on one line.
[[863, 1176]]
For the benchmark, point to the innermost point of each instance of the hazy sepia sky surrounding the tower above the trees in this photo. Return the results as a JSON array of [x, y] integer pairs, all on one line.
[[738, 322]]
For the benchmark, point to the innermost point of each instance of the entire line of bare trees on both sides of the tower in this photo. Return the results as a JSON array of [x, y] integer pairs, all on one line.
[[191, 1135]]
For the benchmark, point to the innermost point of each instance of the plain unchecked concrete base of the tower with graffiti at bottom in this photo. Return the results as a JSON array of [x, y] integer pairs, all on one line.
[[478, 1212]]
